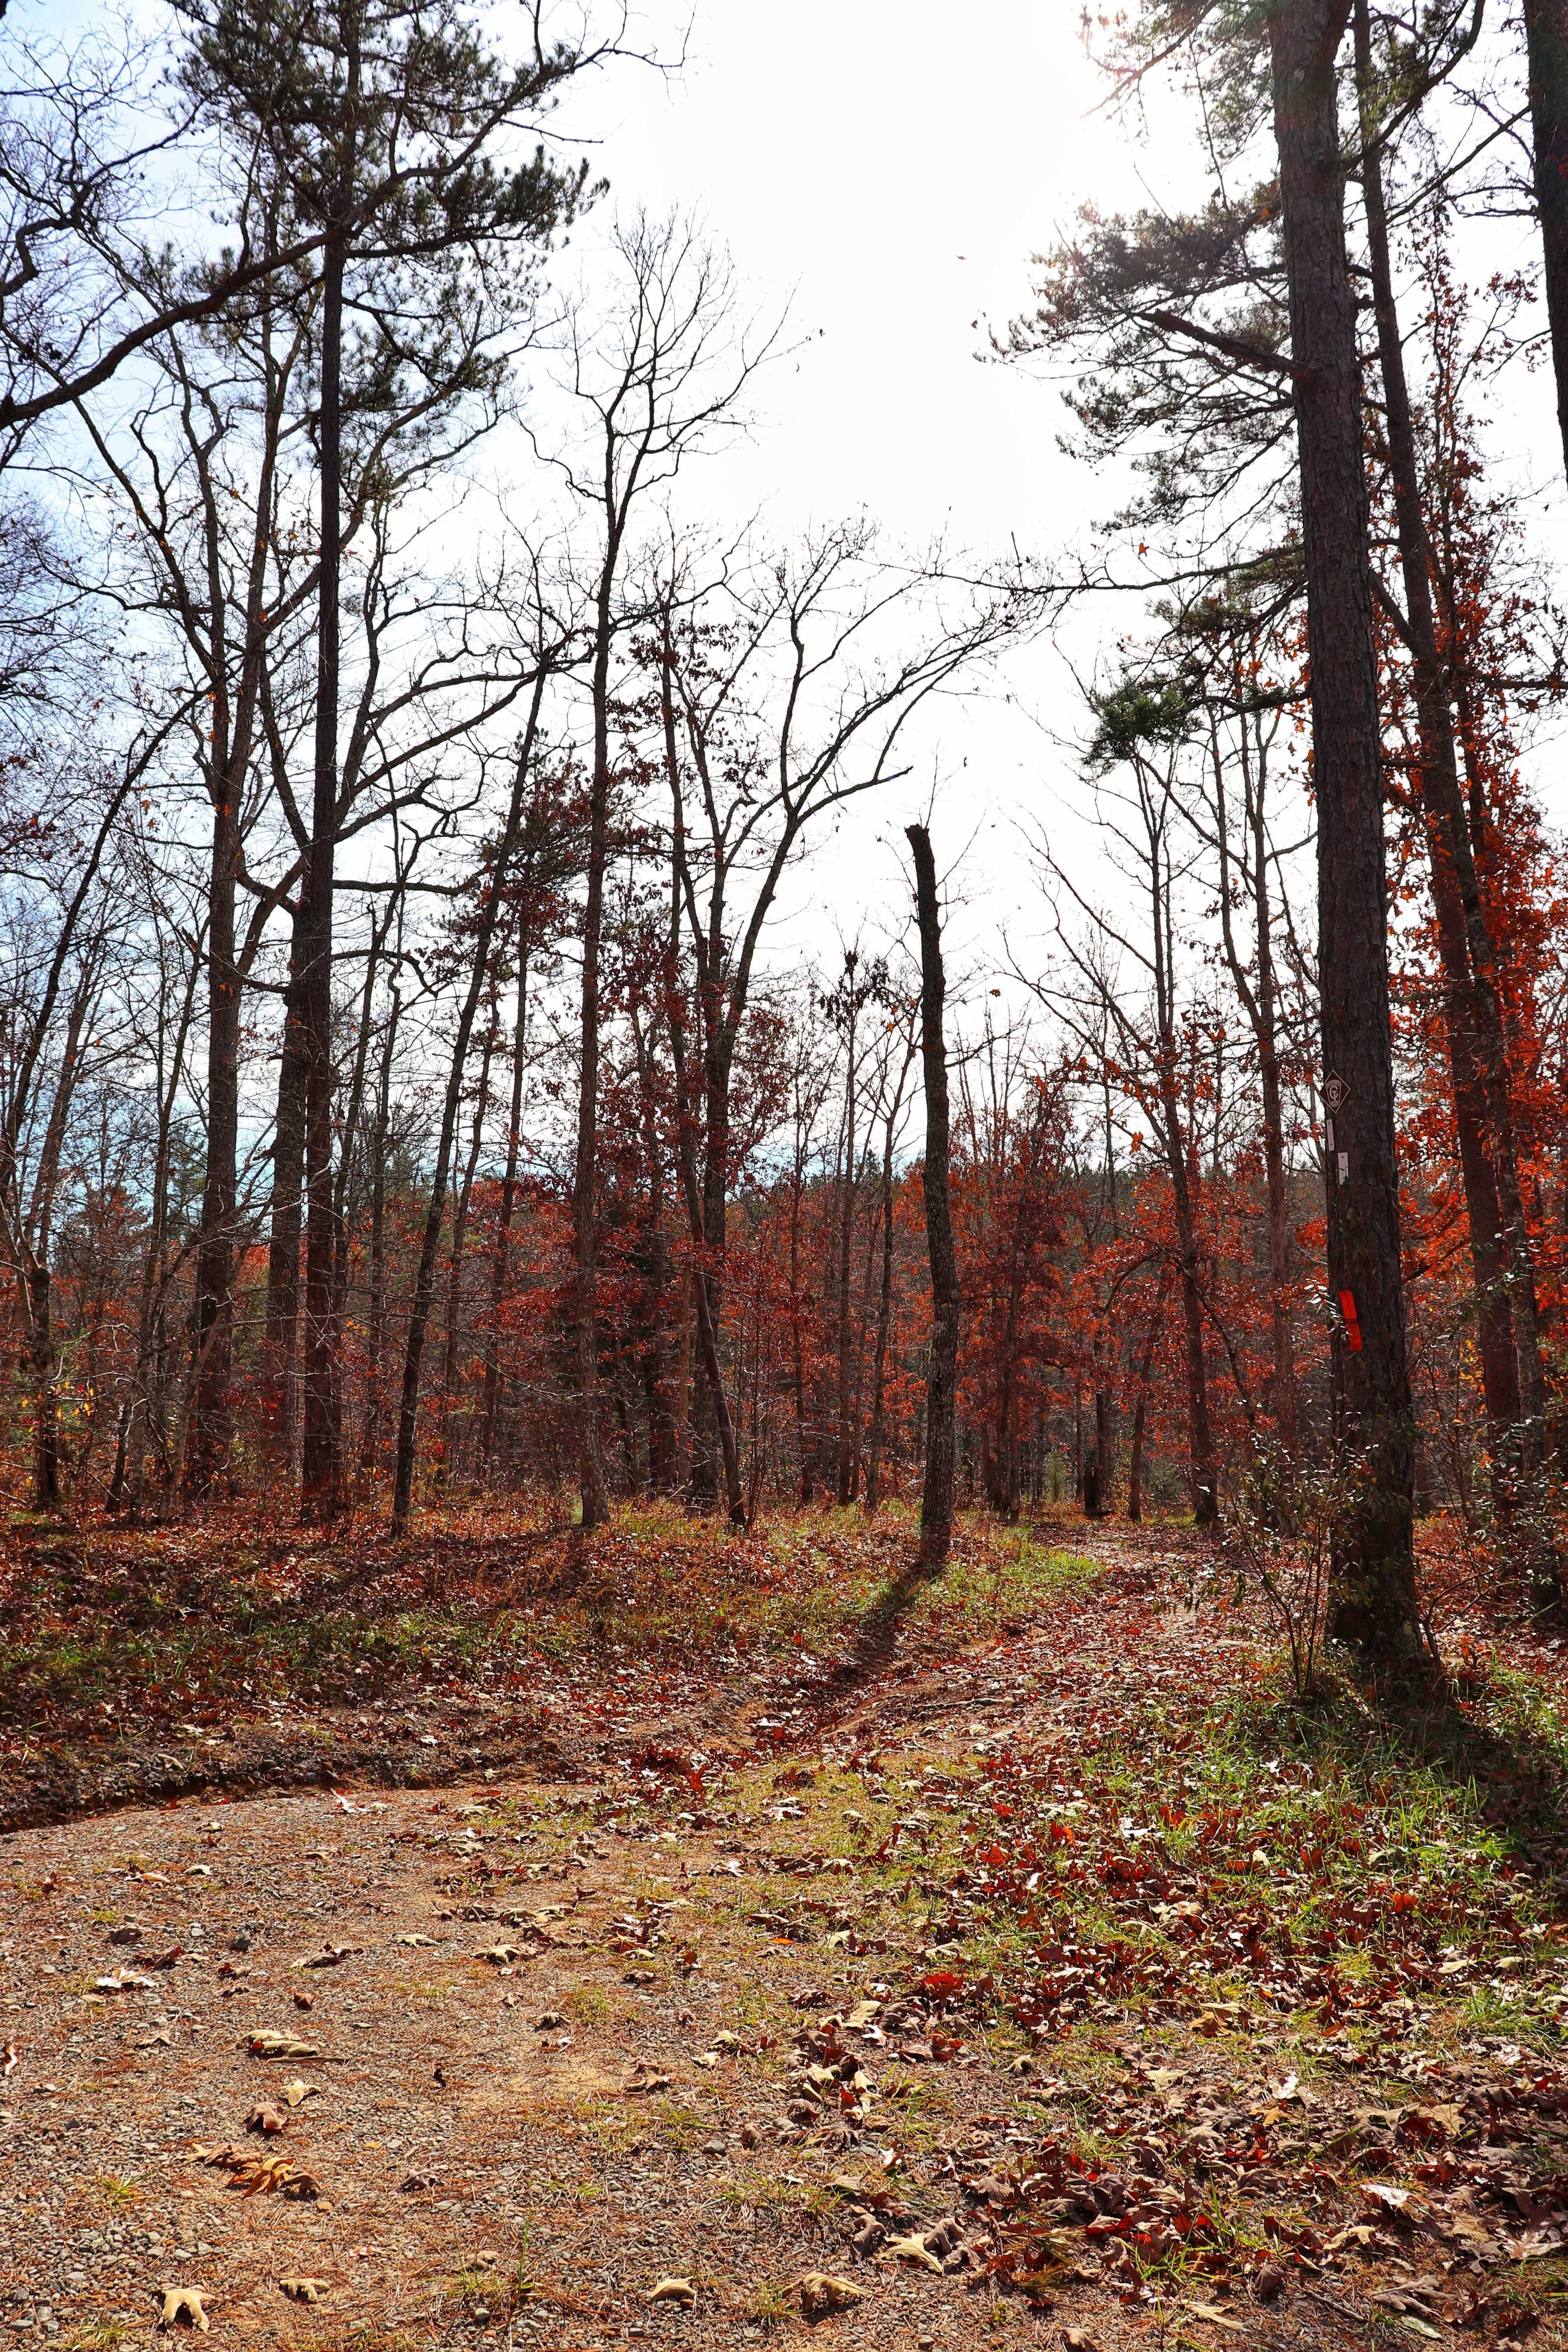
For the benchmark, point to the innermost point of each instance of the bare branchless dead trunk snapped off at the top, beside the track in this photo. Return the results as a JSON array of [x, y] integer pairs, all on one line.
[[944, 1377]]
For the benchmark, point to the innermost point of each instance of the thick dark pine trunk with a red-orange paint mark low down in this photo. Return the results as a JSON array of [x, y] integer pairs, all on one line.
[[1372, 1387]]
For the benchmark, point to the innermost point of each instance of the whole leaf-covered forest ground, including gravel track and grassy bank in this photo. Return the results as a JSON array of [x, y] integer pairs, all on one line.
[[674, 1939]]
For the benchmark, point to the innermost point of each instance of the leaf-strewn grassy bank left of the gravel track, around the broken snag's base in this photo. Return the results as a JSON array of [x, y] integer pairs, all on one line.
[[196, 1624]]
